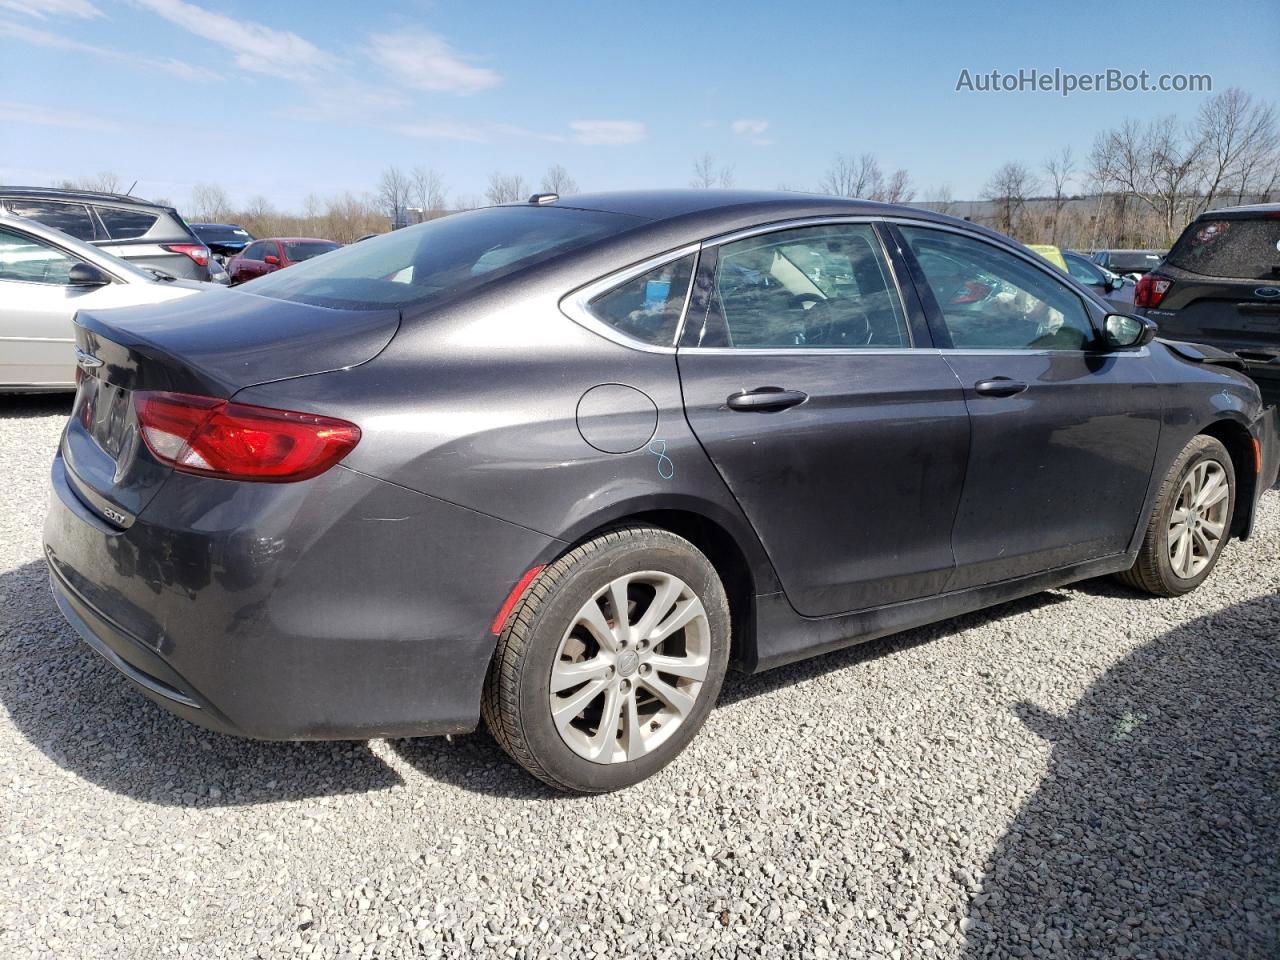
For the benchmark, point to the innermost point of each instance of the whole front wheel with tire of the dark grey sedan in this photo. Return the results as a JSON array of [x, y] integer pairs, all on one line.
[[1191, 523]]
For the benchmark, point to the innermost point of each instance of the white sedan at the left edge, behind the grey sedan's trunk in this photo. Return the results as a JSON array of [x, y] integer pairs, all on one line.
[[45, 277]]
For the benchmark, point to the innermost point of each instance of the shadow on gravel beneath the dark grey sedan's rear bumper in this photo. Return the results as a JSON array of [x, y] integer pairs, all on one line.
[[81, 714]]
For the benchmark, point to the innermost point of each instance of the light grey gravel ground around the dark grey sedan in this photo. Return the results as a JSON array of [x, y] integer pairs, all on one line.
[[1084, 774]]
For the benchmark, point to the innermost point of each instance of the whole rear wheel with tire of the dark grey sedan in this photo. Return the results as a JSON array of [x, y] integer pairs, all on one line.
[[589, 701]]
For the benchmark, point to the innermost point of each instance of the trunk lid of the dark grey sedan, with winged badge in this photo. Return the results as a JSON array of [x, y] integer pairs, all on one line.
[[214, 345]]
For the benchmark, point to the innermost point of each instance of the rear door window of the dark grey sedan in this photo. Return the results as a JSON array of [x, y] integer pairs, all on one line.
[[810, 287]]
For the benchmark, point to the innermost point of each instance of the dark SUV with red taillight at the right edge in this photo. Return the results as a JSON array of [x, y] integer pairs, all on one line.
[[1220, 285]]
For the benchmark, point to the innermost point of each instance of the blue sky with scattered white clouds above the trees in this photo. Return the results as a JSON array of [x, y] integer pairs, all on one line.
[[285, 99]]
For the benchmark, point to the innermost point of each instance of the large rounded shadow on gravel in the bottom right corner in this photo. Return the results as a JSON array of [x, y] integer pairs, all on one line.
[[1156, 830]]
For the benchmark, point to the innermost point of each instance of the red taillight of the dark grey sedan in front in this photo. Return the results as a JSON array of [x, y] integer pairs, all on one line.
[[240, 442]]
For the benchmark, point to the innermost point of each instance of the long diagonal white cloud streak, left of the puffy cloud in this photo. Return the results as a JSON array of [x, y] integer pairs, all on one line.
[[257, 48]]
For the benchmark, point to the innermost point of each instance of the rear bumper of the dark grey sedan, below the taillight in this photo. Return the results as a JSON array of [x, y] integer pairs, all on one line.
[[339, 609]]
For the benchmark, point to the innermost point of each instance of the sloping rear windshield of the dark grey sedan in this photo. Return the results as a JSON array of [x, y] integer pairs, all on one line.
[[440, 258]]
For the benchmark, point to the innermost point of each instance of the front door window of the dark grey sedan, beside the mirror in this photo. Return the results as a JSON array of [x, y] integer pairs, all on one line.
[[993, 300]]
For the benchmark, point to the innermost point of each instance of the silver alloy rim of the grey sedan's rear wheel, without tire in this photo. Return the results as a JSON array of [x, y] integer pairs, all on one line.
[[630, 668]]
